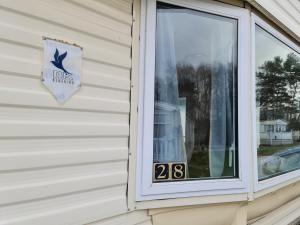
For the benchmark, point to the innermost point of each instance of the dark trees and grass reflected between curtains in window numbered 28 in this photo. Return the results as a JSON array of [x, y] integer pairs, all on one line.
[[194, 85]]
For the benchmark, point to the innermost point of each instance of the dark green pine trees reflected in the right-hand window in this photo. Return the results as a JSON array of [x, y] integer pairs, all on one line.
[[278, 88]]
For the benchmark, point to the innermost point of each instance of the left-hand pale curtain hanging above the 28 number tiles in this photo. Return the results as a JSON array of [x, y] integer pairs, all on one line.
[[168, 136]]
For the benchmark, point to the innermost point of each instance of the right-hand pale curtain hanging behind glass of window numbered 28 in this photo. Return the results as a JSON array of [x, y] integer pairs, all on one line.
[[221, 113]]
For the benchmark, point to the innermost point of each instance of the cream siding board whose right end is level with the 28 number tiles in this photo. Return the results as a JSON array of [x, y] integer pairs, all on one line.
[[35, 184]]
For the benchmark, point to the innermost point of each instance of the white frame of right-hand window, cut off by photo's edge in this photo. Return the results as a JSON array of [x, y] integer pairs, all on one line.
[[289, 176]]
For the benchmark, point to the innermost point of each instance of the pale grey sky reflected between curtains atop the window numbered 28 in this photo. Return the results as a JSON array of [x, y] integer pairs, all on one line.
[[197, 34]]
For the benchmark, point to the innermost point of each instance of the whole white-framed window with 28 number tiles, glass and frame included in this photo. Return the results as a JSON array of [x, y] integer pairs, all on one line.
[[193, 141]]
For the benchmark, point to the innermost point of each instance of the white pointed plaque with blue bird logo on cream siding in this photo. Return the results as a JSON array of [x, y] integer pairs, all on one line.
[[61, 68]]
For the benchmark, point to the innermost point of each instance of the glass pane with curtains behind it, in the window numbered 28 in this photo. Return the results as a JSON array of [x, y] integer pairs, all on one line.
[[195, 111]]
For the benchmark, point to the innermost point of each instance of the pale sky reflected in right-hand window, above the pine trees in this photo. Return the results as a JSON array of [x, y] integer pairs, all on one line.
[[267, 47]]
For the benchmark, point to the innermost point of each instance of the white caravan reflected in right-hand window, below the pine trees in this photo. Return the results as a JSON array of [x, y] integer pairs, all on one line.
[[273, 132]]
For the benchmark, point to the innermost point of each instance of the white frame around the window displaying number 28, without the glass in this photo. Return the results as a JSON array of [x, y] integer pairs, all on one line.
[[145, 188]]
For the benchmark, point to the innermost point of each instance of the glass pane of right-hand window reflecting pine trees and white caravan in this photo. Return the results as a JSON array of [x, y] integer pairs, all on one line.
[[277, 105]]
